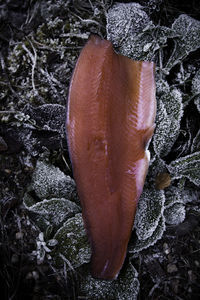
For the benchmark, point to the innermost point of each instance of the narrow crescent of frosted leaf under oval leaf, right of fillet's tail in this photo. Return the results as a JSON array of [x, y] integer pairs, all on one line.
[[139, 245]]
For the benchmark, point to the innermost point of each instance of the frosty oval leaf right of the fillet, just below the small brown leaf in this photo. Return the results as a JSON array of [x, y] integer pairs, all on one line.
[[150, 209]]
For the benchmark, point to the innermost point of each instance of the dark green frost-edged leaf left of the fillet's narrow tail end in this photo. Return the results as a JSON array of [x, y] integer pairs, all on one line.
[[72, 243]]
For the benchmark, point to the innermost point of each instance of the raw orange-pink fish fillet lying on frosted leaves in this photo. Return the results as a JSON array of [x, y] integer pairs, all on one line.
[[110, 121]]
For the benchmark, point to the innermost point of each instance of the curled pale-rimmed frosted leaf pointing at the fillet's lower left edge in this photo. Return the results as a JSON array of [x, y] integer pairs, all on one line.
[[52, 212]]
